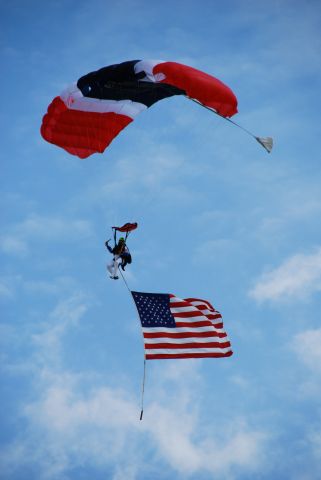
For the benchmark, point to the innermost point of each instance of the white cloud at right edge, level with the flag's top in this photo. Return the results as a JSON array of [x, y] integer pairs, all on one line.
[[299, 276]]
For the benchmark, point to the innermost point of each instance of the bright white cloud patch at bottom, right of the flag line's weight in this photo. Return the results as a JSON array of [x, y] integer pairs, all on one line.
[[191, 453]]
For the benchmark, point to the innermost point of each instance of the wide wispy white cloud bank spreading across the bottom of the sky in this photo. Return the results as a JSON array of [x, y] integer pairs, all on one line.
[[102, 427]]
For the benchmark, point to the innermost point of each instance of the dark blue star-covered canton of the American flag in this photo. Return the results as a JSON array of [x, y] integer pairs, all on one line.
[[153, 309]]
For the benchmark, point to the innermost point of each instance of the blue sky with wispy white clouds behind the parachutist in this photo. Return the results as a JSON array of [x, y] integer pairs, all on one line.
[[218, 218]]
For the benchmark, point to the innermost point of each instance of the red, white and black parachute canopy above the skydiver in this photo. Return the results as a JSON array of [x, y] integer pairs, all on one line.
[[89, 114]]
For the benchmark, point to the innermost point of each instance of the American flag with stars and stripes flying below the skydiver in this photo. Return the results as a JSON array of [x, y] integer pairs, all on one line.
[[180, 328]]
